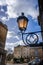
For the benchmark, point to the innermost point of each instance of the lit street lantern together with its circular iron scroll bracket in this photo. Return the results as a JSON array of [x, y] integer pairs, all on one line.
[[31, 38]]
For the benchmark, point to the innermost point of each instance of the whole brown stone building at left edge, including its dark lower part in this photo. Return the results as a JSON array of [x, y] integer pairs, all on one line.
[[3, 33]]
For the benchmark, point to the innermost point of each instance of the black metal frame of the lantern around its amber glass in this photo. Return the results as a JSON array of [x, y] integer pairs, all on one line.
[[22, 17]]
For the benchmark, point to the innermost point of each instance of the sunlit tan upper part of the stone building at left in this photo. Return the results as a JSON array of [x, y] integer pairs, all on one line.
[[3, 33]]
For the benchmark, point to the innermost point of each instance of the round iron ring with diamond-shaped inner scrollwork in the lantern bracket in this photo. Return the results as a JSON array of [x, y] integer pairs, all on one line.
[[32, 39]]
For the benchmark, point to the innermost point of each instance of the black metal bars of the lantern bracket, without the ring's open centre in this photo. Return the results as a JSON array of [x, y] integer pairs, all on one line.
[[34, 33]]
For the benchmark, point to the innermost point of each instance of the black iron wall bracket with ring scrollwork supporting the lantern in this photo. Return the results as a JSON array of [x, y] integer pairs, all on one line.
[[30, 38]]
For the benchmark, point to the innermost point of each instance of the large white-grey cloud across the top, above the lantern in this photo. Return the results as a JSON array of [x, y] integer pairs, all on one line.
[[15, 7]]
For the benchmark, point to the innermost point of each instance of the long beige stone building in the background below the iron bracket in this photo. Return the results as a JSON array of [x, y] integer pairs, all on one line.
[[28, 52]]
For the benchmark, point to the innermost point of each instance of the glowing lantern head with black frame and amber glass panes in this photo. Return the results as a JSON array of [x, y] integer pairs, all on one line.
[[22, 22]]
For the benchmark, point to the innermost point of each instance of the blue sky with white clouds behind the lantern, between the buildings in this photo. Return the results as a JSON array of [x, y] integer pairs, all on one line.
[[10, 10]]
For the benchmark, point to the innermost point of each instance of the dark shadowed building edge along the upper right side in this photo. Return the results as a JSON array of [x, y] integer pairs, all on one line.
[[40, 17]]
